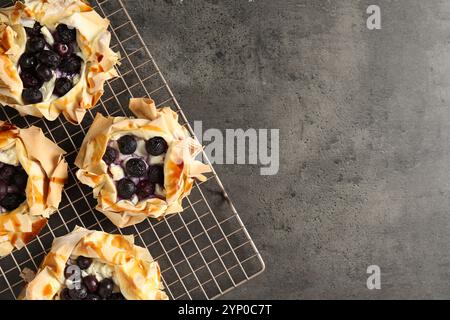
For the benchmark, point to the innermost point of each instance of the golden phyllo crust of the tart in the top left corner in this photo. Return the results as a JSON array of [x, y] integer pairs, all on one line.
[[92, 38]]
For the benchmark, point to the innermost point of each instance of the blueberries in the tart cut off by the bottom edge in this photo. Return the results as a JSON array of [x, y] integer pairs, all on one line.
[[89, 287]]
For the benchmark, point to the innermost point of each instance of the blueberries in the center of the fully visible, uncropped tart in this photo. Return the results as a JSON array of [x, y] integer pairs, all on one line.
[[148, 175]]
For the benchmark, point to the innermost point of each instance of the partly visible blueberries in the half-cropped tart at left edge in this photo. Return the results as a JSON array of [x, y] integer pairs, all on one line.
[[13, 181]]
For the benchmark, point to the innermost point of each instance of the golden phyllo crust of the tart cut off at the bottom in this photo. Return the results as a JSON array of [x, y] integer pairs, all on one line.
[[135, 271]]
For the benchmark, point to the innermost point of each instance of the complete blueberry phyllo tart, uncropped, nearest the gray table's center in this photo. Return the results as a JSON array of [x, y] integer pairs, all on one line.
[[140, 167]]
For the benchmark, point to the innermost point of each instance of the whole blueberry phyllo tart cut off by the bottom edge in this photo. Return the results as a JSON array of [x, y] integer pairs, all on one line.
[[93, 265]]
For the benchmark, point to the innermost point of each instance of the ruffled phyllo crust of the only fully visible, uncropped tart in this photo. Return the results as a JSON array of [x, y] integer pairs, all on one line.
[[180, 166]]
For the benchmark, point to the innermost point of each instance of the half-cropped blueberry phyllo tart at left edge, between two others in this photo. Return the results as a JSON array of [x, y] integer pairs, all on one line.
[[32, 175]]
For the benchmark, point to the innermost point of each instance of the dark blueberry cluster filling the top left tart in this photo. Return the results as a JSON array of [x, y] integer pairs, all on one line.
[[41, 60]]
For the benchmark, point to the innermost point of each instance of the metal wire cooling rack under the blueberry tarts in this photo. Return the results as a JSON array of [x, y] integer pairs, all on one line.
[[203, 252]]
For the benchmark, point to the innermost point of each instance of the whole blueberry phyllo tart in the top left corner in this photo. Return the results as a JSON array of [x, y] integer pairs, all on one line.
[[54, 58]]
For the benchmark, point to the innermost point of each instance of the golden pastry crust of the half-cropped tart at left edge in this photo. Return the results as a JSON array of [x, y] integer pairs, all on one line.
[[47, 172]]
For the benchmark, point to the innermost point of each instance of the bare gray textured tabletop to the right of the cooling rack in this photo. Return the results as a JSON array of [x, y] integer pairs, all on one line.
[[364, 123]]
